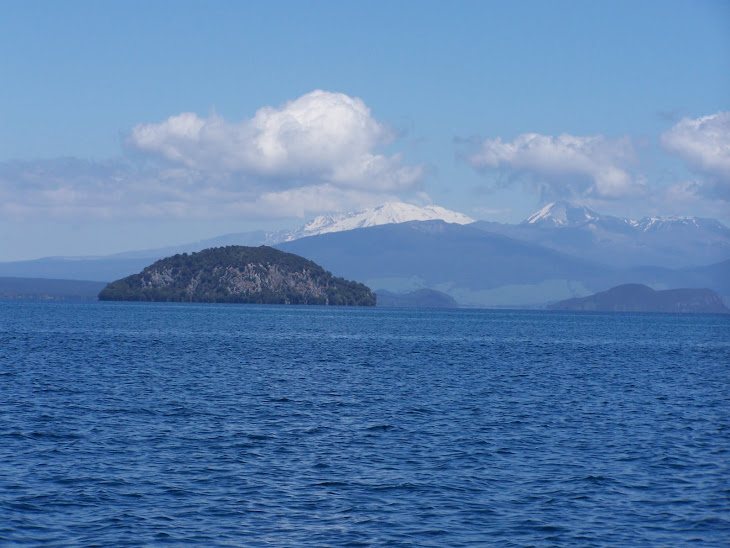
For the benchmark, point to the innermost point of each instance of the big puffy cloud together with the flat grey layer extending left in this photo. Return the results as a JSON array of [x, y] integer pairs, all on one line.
[[321, 152]]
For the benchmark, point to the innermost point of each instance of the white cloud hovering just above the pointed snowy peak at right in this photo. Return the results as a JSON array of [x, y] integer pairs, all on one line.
[[565, 165]]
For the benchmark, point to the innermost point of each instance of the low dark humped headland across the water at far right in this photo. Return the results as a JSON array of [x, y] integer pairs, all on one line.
[[640, 298]]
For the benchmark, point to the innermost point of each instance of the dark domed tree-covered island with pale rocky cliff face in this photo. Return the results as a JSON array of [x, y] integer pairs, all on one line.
[[238, 274]]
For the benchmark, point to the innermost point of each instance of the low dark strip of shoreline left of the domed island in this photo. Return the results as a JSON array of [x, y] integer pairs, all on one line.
[[48, 289]]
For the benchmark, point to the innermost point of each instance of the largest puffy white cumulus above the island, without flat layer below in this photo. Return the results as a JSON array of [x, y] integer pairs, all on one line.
[[322, 136]]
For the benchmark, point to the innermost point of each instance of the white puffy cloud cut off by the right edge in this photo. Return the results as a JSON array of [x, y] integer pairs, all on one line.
[[704, 143]]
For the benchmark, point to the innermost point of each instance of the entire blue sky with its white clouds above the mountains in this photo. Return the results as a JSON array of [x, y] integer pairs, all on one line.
[[132, 125]]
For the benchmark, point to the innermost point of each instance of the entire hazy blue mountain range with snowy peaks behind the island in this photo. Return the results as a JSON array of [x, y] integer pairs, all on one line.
[[561, 251]]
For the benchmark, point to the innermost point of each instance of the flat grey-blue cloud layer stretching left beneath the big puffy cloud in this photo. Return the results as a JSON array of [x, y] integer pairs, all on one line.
[[76, 190]]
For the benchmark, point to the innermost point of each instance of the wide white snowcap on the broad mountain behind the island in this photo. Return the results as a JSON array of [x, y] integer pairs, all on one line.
[[387, 213]]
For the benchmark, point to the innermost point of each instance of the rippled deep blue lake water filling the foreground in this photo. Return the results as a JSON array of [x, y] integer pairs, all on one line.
[[220, 425]]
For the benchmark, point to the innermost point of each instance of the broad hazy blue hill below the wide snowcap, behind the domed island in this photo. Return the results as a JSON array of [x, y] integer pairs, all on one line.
[[480, 268]]
